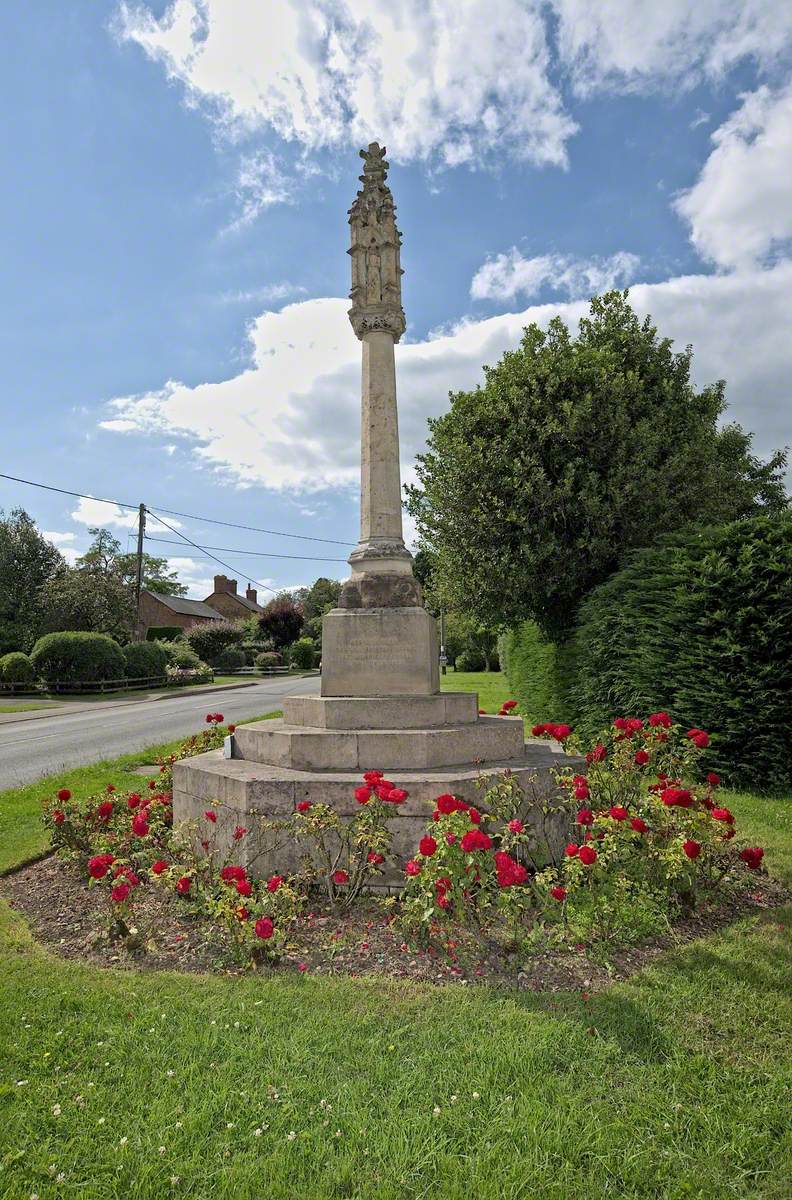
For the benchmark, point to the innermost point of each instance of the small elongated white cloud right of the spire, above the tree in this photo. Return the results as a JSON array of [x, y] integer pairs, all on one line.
[[509, 275]]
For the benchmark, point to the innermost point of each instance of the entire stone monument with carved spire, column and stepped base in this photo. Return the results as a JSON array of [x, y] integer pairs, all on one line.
[[381, 706]]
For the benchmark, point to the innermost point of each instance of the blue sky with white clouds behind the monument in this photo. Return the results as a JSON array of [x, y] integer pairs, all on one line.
[[173, 215]]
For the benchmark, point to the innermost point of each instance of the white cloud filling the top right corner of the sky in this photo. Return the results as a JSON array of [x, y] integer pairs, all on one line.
[[640, 45]]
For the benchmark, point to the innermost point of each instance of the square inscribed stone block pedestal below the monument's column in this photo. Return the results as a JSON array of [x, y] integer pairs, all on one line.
[[380, 652]]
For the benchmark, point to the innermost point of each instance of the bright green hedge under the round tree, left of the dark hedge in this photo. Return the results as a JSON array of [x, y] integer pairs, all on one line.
[[542, 674]]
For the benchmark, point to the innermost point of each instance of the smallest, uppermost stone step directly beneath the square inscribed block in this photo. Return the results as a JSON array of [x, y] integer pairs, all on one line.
[[382, 712]]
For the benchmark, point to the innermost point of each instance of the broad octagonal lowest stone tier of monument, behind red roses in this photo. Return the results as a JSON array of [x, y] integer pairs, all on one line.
[[249, 794]]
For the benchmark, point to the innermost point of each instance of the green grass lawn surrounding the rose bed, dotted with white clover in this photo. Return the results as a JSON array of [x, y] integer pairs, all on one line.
[[671, 1085]]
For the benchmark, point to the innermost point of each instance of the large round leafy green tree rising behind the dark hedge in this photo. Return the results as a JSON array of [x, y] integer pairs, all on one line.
[[575, 451]]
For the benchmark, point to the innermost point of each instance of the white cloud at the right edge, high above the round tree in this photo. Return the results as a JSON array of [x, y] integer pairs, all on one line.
[[741, 208]]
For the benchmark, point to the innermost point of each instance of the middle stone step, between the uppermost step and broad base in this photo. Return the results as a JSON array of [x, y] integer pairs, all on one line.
[[279, 745]]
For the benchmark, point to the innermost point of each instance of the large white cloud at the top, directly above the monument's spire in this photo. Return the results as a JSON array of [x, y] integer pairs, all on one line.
[[453, 80]]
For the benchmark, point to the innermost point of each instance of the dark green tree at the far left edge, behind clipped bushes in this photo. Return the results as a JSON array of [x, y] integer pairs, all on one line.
[[27, 562]]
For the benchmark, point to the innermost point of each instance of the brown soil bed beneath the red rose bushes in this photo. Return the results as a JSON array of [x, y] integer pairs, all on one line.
[[70, 919]]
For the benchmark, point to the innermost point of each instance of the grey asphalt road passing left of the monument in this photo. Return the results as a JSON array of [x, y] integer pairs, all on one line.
[[44, 747]]
